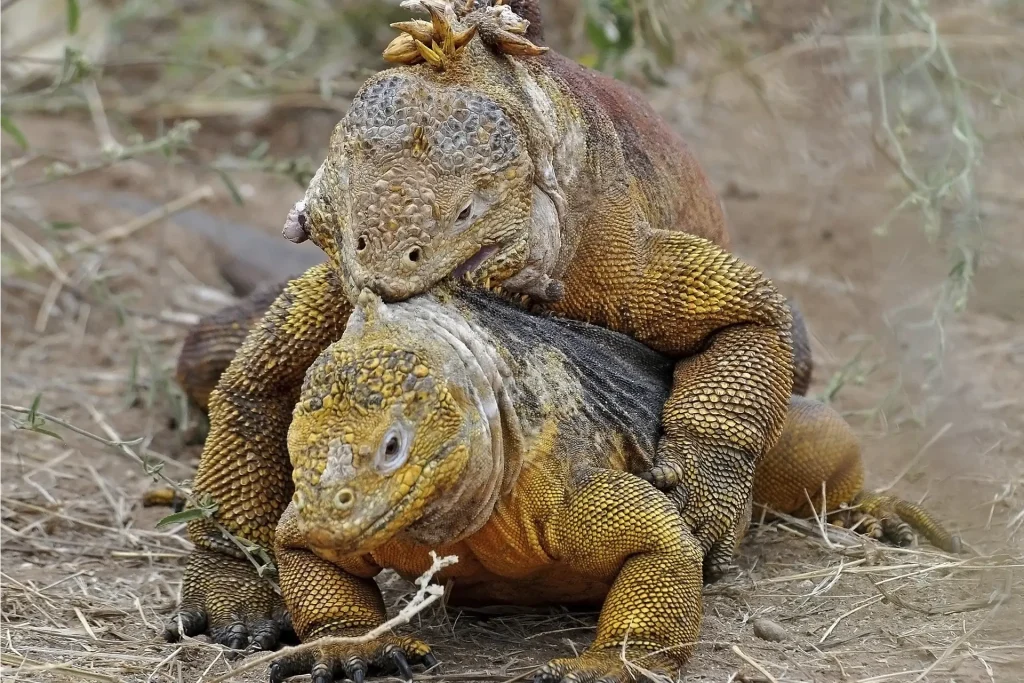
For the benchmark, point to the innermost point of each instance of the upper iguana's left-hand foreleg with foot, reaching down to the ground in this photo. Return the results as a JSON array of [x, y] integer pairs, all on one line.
[[245, 469]]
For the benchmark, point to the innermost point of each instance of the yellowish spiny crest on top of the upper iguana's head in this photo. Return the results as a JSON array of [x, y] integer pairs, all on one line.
[[440, 41]]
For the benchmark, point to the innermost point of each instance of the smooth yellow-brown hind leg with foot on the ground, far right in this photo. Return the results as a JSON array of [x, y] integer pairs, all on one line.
[[818, 446]]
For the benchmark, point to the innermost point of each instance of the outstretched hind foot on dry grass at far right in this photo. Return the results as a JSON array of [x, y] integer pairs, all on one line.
[[894, 521]]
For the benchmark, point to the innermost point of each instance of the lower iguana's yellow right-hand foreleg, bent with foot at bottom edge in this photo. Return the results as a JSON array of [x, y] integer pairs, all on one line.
[[619, 529]]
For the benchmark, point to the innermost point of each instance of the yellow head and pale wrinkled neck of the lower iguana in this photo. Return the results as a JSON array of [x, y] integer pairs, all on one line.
[[401, 430]]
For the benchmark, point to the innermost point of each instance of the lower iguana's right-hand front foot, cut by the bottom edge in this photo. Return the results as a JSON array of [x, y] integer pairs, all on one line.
[[606, 667]]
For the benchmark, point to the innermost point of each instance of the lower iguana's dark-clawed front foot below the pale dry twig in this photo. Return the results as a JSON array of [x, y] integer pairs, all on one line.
[[354, 662]]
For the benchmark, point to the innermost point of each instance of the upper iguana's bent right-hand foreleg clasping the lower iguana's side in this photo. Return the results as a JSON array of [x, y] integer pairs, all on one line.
[[685, 296]]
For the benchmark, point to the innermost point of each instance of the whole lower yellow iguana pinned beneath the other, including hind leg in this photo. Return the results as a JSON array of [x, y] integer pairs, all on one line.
[[457, 422]]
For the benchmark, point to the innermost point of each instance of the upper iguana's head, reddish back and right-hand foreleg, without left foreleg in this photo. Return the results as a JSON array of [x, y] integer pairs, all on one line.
[[541, 178]]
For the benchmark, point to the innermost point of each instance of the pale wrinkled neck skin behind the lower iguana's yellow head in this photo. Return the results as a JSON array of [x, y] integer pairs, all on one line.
[[472, 362]]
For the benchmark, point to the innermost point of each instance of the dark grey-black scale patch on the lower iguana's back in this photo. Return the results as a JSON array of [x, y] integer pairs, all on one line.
[[625, 383]]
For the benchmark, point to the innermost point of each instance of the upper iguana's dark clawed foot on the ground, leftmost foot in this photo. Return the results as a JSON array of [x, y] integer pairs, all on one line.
[[224, 597]]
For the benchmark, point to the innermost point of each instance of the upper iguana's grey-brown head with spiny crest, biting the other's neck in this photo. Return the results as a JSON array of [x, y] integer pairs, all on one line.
[[430, 174]]
